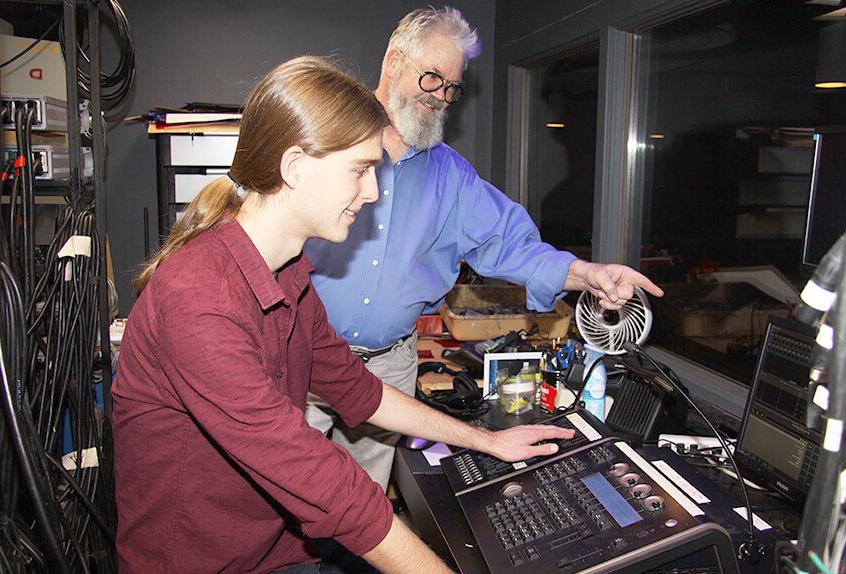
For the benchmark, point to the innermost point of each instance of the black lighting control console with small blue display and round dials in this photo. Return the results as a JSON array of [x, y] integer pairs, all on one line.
[[599, 507]]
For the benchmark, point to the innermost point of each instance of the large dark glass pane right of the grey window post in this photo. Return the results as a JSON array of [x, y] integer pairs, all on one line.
[[729, 116]]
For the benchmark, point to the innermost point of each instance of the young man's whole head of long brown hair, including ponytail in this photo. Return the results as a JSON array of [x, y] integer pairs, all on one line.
[[308, 101]]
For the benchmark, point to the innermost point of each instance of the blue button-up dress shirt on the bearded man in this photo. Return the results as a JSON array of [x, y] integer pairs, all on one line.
[[404, 251]]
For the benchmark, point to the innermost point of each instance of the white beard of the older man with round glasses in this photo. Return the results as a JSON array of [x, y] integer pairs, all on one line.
[[418, 128]]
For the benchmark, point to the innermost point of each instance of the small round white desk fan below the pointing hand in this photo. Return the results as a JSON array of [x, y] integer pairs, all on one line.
[[608, 330]]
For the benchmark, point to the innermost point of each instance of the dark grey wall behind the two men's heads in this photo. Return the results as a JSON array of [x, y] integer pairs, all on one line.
[[215, 50]]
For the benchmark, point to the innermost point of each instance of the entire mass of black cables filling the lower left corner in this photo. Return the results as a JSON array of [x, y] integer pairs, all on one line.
[[51, 354]]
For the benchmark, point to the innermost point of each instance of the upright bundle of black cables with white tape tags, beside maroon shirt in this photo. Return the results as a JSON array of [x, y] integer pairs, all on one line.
[[63, 382]]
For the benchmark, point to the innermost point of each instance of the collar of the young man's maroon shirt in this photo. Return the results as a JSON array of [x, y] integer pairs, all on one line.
[[289, 283]]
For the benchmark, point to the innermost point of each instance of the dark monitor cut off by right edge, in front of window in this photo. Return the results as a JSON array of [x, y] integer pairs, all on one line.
[[827, 205]]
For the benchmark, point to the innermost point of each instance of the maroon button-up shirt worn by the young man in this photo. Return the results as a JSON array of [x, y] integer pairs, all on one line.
[[216, 469]]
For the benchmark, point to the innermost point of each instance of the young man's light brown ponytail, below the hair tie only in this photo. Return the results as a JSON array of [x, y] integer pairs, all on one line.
[[217, 200]]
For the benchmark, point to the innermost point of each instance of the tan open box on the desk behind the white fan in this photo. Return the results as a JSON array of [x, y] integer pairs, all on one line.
[[466, 313]]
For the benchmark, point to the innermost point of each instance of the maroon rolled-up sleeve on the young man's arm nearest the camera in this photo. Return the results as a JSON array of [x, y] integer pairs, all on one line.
[[220, 376]]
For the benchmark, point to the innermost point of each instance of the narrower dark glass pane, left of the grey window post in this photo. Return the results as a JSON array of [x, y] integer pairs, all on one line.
[[561, 173]]
